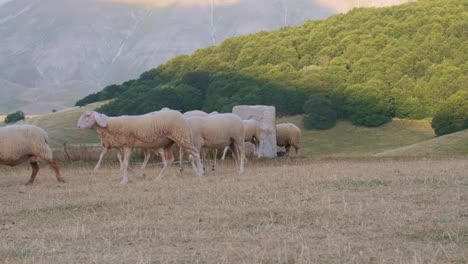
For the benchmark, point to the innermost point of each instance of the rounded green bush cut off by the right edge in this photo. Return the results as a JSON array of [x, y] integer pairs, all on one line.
[[452, 115]]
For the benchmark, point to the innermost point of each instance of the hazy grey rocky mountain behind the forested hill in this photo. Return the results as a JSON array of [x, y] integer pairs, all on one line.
[[53, 52]]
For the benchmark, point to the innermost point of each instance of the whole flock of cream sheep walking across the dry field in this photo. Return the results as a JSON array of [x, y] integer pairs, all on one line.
[[194, 132]]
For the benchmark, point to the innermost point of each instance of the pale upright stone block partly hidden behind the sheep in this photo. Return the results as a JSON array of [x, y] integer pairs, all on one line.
[[266, 115]]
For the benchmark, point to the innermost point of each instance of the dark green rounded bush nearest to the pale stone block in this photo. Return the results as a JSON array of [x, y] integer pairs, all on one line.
[[319, 113]]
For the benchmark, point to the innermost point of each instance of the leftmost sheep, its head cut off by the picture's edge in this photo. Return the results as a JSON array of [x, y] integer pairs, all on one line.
[[19, 143]]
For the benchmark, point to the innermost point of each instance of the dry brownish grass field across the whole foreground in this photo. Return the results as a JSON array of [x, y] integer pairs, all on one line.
[[280, 211]]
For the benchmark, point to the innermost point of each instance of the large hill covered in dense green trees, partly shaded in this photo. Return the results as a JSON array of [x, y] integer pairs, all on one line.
[[372, 64]]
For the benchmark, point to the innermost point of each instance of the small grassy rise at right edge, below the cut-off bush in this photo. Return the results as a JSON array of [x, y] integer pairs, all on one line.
[[449, 145]]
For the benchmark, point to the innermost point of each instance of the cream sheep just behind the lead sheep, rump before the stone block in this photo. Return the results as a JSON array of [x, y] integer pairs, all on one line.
[[218, 131]]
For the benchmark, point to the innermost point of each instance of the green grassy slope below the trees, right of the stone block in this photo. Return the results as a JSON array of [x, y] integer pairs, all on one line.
[[346, 139]]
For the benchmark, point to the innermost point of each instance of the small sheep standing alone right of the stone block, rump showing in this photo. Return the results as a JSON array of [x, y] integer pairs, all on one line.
[[287, 135]]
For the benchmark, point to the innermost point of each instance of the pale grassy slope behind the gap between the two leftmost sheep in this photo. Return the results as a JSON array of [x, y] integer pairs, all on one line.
[[61, 126]]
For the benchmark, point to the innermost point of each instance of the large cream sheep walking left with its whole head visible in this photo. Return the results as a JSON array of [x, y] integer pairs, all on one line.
[[151, 131]]
